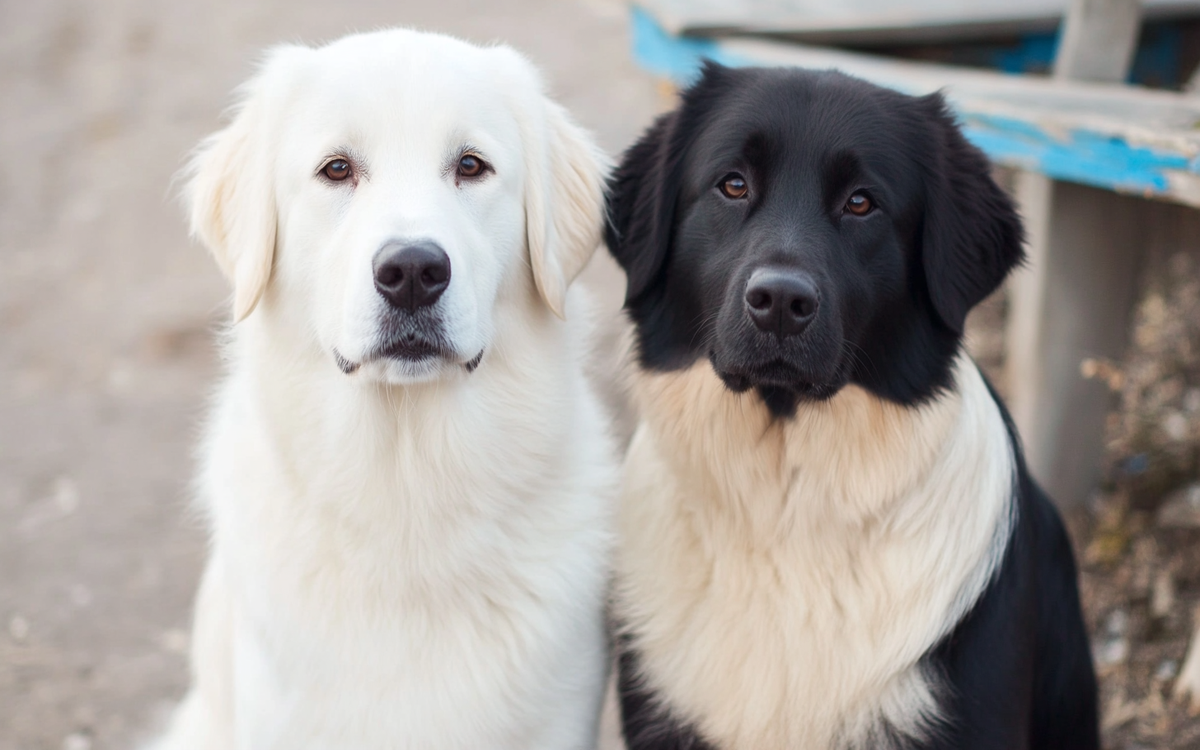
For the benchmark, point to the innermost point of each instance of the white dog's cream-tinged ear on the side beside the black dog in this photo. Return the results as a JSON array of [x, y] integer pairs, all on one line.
[[565, 205]]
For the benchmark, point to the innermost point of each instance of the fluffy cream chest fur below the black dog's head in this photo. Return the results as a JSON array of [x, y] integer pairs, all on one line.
[[784, 578]]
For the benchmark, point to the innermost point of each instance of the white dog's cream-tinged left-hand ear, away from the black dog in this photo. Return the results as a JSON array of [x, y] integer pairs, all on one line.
[[231, 187]]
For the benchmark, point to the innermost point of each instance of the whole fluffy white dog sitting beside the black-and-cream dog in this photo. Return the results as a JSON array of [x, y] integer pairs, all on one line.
[[407, 477]]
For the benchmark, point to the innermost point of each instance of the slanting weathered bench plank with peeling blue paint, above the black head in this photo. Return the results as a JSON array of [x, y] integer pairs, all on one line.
[[1121, 139]]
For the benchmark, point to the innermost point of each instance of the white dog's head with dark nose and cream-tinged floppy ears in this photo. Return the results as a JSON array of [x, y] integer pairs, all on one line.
[[387, 194]]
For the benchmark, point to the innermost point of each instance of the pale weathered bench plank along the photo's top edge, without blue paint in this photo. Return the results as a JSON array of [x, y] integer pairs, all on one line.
[[871, 21]]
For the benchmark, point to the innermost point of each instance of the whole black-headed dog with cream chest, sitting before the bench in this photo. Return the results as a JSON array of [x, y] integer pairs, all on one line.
[[829, 536]]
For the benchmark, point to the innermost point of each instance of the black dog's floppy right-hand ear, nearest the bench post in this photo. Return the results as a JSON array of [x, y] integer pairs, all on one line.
[[973, 235]]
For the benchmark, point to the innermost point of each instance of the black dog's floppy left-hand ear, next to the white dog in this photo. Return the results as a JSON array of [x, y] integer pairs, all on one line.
[[645, 189]]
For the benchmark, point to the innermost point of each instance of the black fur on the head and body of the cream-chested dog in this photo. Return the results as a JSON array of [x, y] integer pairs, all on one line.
[[896, 286]]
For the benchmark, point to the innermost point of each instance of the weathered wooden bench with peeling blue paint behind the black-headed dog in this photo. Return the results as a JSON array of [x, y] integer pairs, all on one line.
[[1107, 173]]
